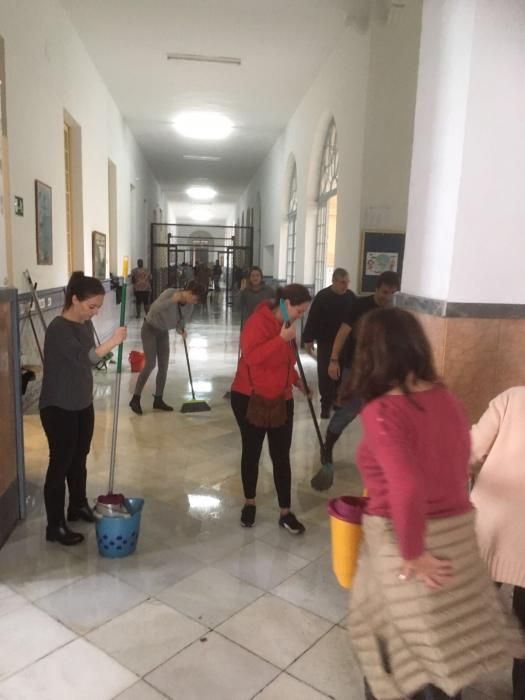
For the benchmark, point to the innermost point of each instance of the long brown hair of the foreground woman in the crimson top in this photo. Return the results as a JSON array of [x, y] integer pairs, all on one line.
[[391, 347]]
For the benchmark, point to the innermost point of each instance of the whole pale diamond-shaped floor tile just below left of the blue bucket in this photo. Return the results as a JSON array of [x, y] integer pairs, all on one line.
[[91, 602]]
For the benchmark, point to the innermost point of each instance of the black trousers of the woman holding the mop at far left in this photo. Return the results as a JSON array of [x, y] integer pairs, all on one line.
[[69, 436]]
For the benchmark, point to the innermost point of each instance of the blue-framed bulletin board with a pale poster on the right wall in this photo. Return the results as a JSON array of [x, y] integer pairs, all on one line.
[[381, 251]]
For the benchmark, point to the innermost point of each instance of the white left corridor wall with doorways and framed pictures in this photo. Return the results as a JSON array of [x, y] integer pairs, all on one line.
[[49, 71]]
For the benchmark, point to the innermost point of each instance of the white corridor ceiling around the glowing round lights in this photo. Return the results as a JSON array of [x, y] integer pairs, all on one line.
[[282, 44]]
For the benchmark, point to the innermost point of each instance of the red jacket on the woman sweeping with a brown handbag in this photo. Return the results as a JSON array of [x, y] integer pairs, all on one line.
[[267, 363]]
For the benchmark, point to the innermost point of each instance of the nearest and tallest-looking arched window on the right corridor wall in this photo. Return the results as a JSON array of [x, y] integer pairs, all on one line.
[[327, 210]]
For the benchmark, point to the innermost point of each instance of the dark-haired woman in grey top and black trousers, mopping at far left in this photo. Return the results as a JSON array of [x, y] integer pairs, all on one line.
[[66, 403]]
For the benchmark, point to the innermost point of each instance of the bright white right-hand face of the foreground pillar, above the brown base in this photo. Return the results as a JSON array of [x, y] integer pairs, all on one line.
[[489, 249]]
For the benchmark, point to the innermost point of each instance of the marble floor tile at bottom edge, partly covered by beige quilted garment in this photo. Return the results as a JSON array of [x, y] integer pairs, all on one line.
[[331, 668]]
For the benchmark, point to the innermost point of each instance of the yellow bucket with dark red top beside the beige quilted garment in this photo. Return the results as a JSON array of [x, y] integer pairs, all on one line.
[[345, 524]]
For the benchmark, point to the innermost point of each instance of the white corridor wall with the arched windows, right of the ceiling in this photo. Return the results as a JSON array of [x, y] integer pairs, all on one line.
[[368, 85]]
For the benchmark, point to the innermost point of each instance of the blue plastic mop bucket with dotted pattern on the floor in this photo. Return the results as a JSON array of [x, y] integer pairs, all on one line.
[[118, 537]]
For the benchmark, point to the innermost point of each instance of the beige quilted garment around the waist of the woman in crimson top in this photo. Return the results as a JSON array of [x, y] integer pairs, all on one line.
[[407, 635]]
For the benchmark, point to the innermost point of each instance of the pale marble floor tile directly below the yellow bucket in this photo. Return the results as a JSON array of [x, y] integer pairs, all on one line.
[[315, 588]]
